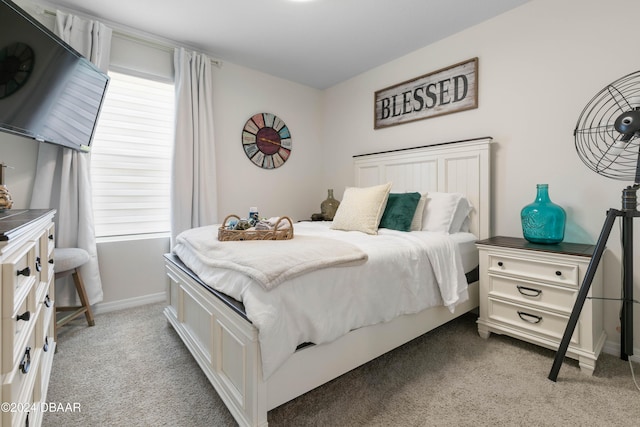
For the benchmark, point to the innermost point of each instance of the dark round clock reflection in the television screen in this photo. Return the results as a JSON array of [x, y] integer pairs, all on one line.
[[16, 64]]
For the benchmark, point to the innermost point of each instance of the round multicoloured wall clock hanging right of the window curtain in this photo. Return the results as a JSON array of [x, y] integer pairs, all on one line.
[[266, 140]]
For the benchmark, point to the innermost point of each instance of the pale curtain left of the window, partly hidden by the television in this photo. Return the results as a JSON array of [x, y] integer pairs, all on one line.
[[62, 179]]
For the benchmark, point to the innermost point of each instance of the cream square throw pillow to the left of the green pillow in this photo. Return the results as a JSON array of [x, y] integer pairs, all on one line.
[[361, 209]]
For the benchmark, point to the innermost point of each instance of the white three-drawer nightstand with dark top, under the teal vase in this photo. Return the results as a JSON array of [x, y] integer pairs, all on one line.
[[528, 290]]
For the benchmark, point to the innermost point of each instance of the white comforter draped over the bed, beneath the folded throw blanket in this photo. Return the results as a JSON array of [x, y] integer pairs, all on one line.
[[405, 273]]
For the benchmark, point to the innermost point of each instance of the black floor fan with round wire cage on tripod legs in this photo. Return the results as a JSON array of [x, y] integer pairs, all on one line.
[[607, 138]]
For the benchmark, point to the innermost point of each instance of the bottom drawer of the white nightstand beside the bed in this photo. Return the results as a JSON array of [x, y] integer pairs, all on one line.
[[531, 320]]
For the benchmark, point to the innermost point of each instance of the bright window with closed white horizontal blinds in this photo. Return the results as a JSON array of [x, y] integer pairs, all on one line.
[[131, 157]]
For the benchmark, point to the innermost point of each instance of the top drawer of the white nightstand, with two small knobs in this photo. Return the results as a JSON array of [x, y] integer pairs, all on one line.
[[551, 272]]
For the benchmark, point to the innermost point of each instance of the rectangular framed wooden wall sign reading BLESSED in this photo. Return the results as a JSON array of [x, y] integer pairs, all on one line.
[[445, 91]]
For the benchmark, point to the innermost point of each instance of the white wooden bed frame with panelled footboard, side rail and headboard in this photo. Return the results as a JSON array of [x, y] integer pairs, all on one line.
[[226, 346]]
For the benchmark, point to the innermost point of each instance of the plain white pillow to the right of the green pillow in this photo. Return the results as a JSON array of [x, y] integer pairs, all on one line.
[[445, 212]]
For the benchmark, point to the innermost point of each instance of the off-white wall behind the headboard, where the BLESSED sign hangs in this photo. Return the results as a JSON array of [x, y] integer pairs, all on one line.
[[539, 65]]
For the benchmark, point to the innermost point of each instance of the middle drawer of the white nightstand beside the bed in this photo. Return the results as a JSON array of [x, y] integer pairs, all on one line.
[[538, 294]]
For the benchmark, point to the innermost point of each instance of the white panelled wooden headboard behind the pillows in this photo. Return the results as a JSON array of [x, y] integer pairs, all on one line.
[[453, 167]]
